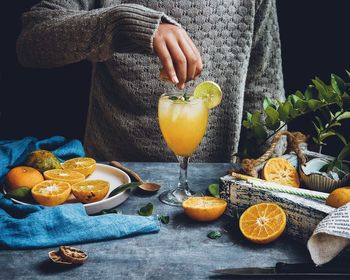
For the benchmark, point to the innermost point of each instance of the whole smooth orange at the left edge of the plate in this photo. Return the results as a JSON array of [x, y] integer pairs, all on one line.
[[23, 176]]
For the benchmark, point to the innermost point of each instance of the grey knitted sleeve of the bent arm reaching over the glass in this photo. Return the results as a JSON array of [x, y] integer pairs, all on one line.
[[55, 32]]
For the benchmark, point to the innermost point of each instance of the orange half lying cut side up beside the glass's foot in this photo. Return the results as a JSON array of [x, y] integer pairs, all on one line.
[[204, 208]]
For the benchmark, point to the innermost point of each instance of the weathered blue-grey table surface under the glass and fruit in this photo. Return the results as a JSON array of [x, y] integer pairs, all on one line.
[[181, 250]]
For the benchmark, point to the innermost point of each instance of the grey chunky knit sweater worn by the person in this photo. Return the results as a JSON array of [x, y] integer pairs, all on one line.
[[238, 40]]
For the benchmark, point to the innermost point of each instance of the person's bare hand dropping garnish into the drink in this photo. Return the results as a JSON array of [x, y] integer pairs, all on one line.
[[178, 54]]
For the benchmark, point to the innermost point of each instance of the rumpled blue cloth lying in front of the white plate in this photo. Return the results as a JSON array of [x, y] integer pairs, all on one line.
[[34, 226]]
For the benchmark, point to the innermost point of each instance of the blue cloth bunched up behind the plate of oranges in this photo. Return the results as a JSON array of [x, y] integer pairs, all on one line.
[[14, 152]]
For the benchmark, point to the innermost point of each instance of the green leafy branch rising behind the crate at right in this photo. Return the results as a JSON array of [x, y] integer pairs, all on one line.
[[331, 101]]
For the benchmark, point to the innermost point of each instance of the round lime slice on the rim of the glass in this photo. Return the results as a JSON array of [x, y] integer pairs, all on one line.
[[210, 91]]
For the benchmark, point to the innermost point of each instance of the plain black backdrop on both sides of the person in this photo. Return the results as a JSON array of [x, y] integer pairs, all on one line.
[[47, 102]]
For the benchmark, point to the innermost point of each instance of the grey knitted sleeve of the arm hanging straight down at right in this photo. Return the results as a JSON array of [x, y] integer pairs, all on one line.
[[264, 78]]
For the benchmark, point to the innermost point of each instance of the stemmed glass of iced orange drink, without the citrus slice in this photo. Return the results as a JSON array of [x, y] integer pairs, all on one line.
[[183, 122]]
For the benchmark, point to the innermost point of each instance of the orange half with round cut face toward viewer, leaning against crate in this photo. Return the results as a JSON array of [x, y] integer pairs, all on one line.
[[263, 223]]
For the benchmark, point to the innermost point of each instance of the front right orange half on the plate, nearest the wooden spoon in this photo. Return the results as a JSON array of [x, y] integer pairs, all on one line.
[[90, 190]]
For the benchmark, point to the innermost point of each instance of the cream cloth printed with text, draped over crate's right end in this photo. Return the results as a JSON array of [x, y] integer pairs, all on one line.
[[331, 236]]
